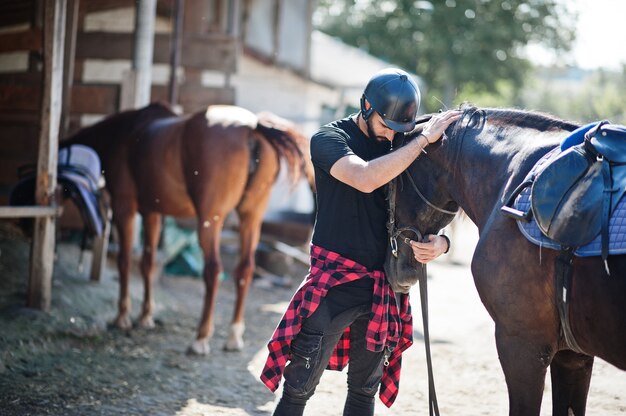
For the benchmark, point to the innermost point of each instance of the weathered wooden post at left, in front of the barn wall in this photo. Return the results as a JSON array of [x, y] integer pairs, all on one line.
[[42, 252]]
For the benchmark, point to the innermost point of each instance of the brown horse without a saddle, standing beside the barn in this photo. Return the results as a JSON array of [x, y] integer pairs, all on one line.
[[204, 165]]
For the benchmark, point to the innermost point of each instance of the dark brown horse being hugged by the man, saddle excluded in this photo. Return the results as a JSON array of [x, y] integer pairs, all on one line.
[[485, 156]]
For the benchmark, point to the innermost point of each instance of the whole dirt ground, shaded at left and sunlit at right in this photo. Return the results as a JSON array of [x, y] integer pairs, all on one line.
[[69, 362]]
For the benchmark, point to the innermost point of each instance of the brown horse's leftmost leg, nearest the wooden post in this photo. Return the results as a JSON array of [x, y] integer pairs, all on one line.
[[124, 223]]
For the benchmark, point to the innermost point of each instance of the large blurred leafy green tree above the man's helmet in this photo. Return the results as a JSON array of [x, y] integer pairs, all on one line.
[[451, 44]]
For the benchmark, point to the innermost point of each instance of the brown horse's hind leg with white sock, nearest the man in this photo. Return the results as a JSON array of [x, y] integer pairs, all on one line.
[[249, 234]]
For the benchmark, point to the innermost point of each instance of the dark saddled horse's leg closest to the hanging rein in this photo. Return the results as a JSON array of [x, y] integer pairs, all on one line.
[[524, 365]]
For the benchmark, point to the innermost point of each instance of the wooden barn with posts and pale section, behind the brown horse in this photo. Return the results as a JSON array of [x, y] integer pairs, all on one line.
[[65, 64]]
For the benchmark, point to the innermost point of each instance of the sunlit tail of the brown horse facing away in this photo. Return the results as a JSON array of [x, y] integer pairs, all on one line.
[[291, 145]]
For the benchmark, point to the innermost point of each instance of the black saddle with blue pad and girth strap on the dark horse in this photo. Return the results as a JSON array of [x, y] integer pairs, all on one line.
[[574, 190]]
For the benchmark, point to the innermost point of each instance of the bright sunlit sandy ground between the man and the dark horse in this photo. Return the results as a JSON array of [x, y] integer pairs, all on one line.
[[468, 376]]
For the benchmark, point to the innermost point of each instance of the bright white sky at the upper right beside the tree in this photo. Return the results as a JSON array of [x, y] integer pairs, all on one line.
[[601, 35]]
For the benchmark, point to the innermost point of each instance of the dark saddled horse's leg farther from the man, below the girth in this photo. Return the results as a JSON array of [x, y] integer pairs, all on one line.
[[571, 374]]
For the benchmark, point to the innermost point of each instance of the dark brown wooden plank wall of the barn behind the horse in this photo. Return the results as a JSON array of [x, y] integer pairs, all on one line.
[[20, 92]]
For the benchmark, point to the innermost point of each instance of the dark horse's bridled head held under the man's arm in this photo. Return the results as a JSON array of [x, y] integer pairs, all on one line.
[[419, 204]]
